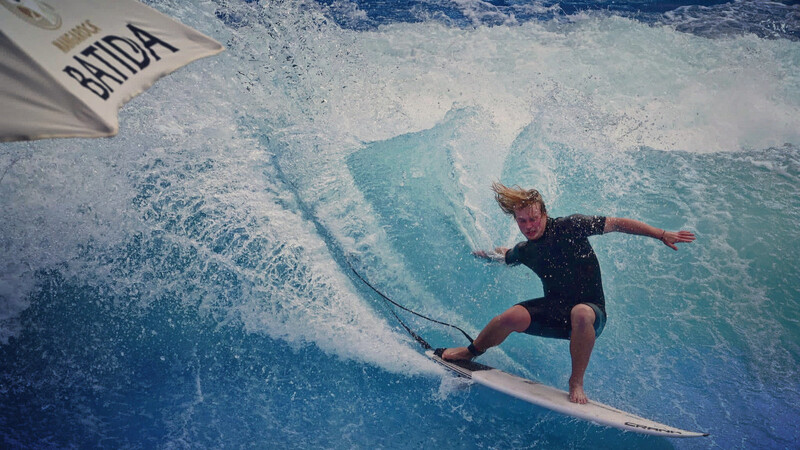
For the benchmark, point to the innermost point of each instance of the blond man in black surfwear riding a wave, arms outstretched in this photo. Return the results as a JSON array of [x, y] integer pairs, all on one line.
[[559, 252]]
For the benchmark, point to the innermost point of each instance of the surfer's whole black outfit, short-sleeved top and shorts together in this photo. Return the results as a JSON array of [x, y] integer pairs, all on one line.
[[567, 265]]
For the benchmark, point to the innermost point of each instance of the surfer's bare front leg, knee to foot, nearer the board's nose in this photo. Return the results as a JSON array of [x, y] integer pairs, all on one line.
[[580, 347]]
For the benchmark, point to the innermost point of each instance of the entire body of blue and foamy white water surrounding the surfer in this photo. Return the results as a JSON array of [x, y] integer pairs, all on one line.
[[186, 283]]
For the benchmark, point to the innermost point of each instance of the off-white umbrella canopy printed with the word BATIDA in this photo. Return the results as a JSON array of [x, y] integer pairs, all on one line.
[[67, 66]]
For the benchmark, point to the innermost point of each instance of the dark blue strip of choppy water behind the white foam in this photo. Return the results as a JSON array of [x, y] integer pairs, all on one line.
[[714, 19]]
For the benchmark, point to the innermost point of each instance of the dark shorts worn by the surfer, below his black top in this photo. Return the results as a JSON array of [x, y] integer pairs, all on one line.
[[550, 317]]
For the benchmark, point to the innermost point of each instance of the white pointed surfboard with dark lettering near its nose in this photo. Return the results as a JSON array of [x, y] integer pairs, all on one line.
[[557, 400]]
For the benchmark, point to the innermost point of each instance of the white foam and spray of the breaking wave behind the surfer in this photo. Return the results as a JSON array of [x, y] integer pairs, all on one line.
[[295, 89]]
